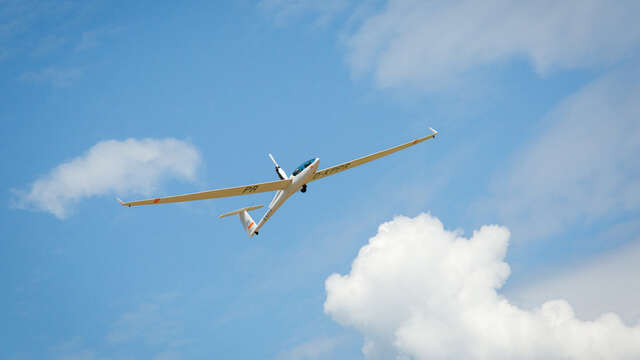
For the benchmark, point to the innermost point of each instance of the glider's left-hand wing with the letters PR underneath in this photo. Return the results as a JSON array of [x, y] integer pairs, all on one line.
[[211, 194]]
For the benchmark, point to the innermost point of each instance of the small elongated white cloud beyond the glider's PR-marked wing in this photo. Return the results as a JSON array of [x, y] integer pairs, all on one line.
[[110, 167]]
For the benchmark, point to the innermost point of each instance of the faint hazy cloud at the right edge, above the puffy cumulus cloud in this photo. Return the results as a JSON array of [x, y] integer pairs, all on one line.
[[583, 166]]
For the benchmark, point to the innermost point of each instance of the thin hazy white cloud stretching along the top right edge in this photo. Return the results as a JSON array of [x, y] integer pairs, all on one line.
[[428, 43]]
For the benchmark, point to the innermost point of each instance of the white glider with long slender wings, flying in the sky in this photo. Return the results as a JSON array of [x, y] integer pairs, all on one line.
[[284, 188]]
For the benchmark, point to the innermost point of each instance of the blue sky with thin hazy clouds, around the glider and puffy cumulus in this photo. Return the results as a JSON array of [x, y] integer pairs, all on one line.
[[538, 125]]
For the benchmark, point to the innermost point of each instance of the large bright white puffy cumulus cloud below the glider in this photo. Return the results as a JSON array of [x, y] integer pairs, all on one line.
[[420, 291]]
